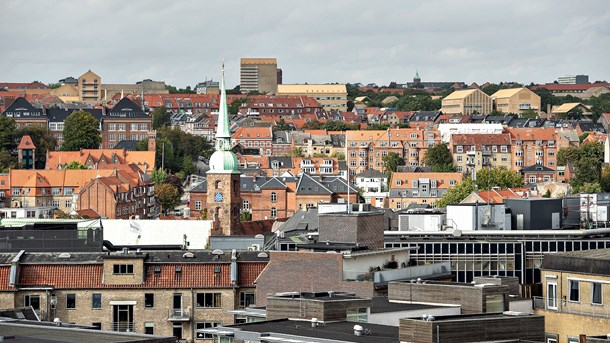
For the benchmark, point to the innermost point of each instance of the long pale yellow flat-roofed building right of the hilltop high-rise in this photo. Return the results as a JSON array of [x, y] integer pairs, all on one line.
[[332, 97]]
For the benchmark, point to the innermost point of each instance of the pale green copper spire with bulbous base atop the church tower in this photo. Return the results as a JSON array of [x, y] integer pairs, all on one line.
[[223, 160]]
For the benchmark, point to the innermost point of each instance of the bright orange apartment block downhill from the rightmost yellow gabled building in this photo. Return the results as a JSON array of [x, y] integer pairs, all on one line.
[[535, 146]]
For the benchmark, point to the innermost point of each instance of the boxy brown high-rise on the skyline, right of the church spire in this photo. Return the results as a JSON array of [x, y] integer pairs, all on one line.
[[259, 74]]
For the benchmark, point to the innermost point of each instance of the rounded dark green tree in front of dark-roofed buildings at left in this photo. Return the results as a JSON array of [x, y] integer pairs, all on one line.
[[81, 131]]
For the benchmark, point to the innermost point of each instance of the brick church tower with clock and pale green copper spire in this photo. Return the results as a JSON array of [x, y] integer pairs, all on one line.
[[223, 192]]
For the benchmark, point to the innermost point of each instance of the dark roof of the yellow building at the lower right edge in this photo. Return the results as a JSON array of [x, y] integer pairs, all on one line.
[[585, 262]]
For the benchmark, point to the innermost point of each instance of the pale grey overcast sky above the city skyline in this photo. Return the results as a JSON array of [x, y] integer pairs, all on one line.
[[182, 42]]
